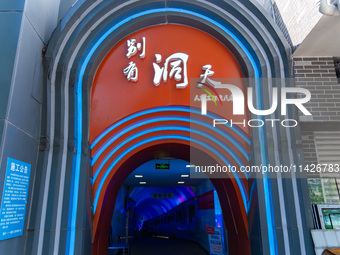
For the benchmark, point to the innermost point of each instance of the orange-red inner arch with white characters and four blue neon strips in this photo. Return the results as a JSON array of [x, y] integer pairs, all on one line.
[[140, 110]]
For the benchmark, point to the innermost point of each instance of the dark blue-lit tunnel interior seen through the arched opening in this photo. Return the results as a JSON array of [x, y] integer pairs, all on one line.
[[160, 200]]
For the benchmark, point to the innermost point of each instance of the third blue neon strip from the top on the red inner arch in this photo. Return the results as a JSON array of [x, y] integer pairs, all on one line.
[[166, 128]]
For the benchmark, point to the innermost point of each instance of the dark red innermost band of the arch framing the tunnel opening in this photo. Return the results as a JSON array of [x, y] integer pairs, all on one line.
[[233, 212]]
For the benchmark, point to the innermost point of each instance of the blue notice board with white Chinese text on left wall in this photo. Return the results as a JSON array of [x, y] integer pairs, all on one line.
[[14, 199]]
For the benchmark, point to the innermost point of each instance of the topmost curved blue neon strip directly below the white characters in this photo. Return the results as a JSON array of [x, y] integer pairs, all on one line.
[[186, 109]]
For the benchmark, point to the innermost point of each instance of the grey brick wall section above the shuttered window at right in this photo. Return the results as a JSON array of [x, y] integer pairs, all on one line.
[[317, 74]]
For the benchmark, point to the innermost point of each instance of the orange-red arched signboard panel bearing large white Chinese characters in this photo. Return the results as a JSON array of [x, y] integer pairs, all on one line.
[[114, 96]]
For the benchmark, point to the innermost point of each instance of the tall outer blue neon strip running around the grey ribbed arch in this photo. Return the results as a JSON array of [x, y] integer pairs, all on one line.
[[78, 129]]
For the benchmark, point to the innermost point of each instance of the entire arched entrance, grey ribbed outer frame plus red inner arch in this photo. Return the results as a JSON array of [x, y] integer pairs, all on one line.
[[125, 81]]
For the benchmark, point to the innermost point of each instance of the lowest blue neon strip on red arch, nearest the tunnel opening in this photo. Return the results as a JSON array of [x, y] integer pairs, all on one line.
[[163, 137]]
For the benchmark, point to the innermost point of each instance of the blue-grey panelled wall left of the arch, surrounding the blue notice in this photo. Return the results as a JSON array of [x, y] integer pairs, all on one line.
[[25, 28]]
